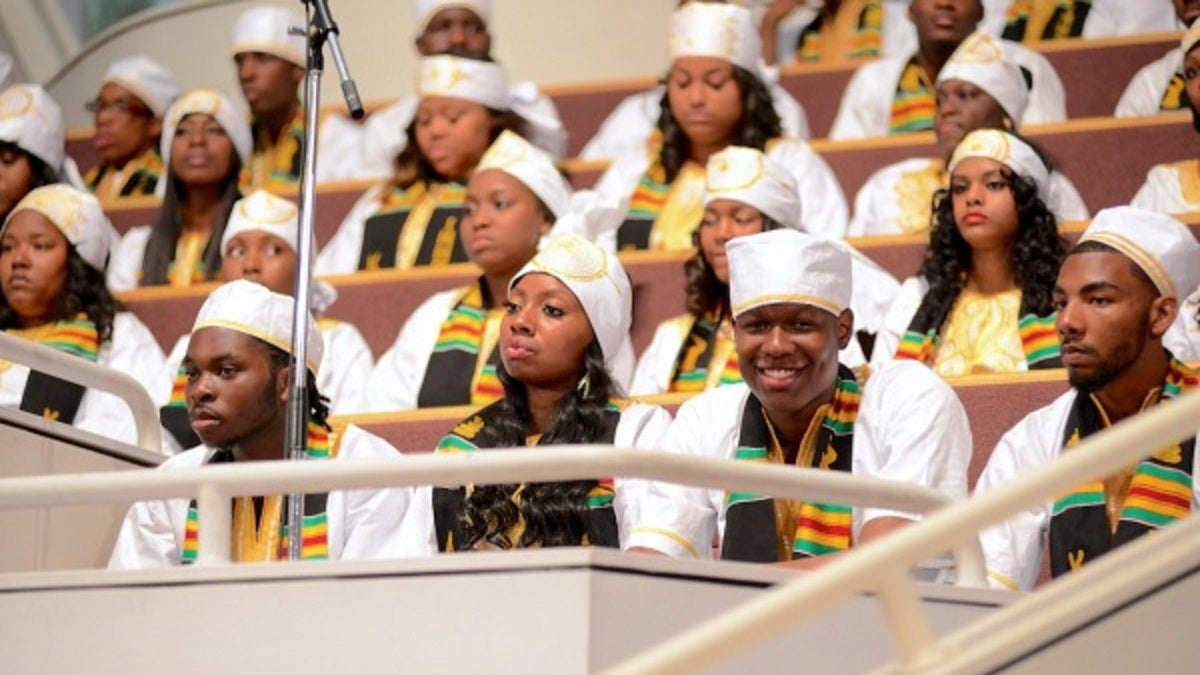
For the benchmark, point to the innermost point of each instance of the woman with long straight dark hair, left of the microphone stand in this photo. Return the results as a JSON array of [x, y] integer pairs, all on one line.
[[205, 145]]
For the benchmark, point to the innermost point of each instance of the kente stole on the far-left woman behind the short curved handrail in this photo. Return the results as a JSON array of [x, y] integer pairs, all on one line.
[[51, 397]]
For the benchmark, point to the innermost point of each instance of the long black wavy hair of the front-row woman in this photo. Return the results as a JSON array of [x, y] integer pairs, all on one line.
[[555, 515]]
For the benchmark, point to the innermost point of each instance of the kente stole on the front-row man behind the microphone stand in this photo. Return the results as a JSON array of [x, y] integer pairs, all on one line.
[[315, 529]]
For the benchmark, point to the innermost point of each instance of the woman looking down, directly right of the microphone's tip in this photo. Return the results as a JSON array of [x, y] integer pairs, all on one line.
[[412, 219]]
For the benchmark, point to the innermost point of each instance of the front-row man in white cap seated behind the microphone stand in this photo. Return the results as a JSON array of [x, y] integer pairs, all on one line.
[[248, 328]]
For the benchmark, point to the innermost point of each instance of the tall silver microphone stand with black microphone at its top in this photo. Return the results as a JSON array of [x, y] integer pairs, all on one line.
[[320, 31]]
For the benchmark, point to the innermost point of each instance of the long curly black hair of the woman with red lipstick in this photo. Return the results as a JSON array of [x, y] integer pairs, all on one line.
[[1037, 254]]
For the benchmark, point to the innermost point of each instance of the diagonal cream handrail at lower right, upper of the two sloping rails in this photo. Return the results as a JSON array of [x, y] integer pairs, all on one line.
[[875, 566]]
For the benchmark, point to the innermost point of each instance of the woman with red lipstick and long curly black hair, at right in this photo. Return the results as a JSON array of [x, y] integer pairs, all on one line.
[[994, 254]]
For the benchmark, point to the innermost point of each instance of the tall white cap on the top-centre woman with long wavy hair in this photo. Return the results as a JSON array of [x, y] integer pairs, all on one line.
[[717, 29]]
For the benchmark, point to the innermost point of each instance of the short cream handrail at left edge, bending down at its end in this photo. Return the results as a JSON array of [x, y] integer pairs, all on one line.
[[93, 377]]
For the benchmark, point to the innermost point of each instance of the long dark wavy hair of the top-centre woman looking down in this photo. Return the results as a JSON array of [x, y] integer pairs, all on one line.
[[759, 123]]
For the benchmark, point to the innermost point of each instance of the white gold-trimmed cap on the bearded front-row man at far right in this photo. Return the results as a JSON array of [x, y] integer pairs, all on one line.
[[1161, 246]]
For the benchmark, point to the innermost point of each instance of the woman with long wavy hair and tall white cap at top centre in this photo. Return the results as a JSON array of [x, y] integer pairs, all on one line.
[[715, 98]]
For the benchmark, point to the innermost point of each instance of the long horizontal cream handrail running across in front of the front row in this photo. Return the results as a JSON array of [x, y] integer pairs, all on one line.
[[215, 485]]
